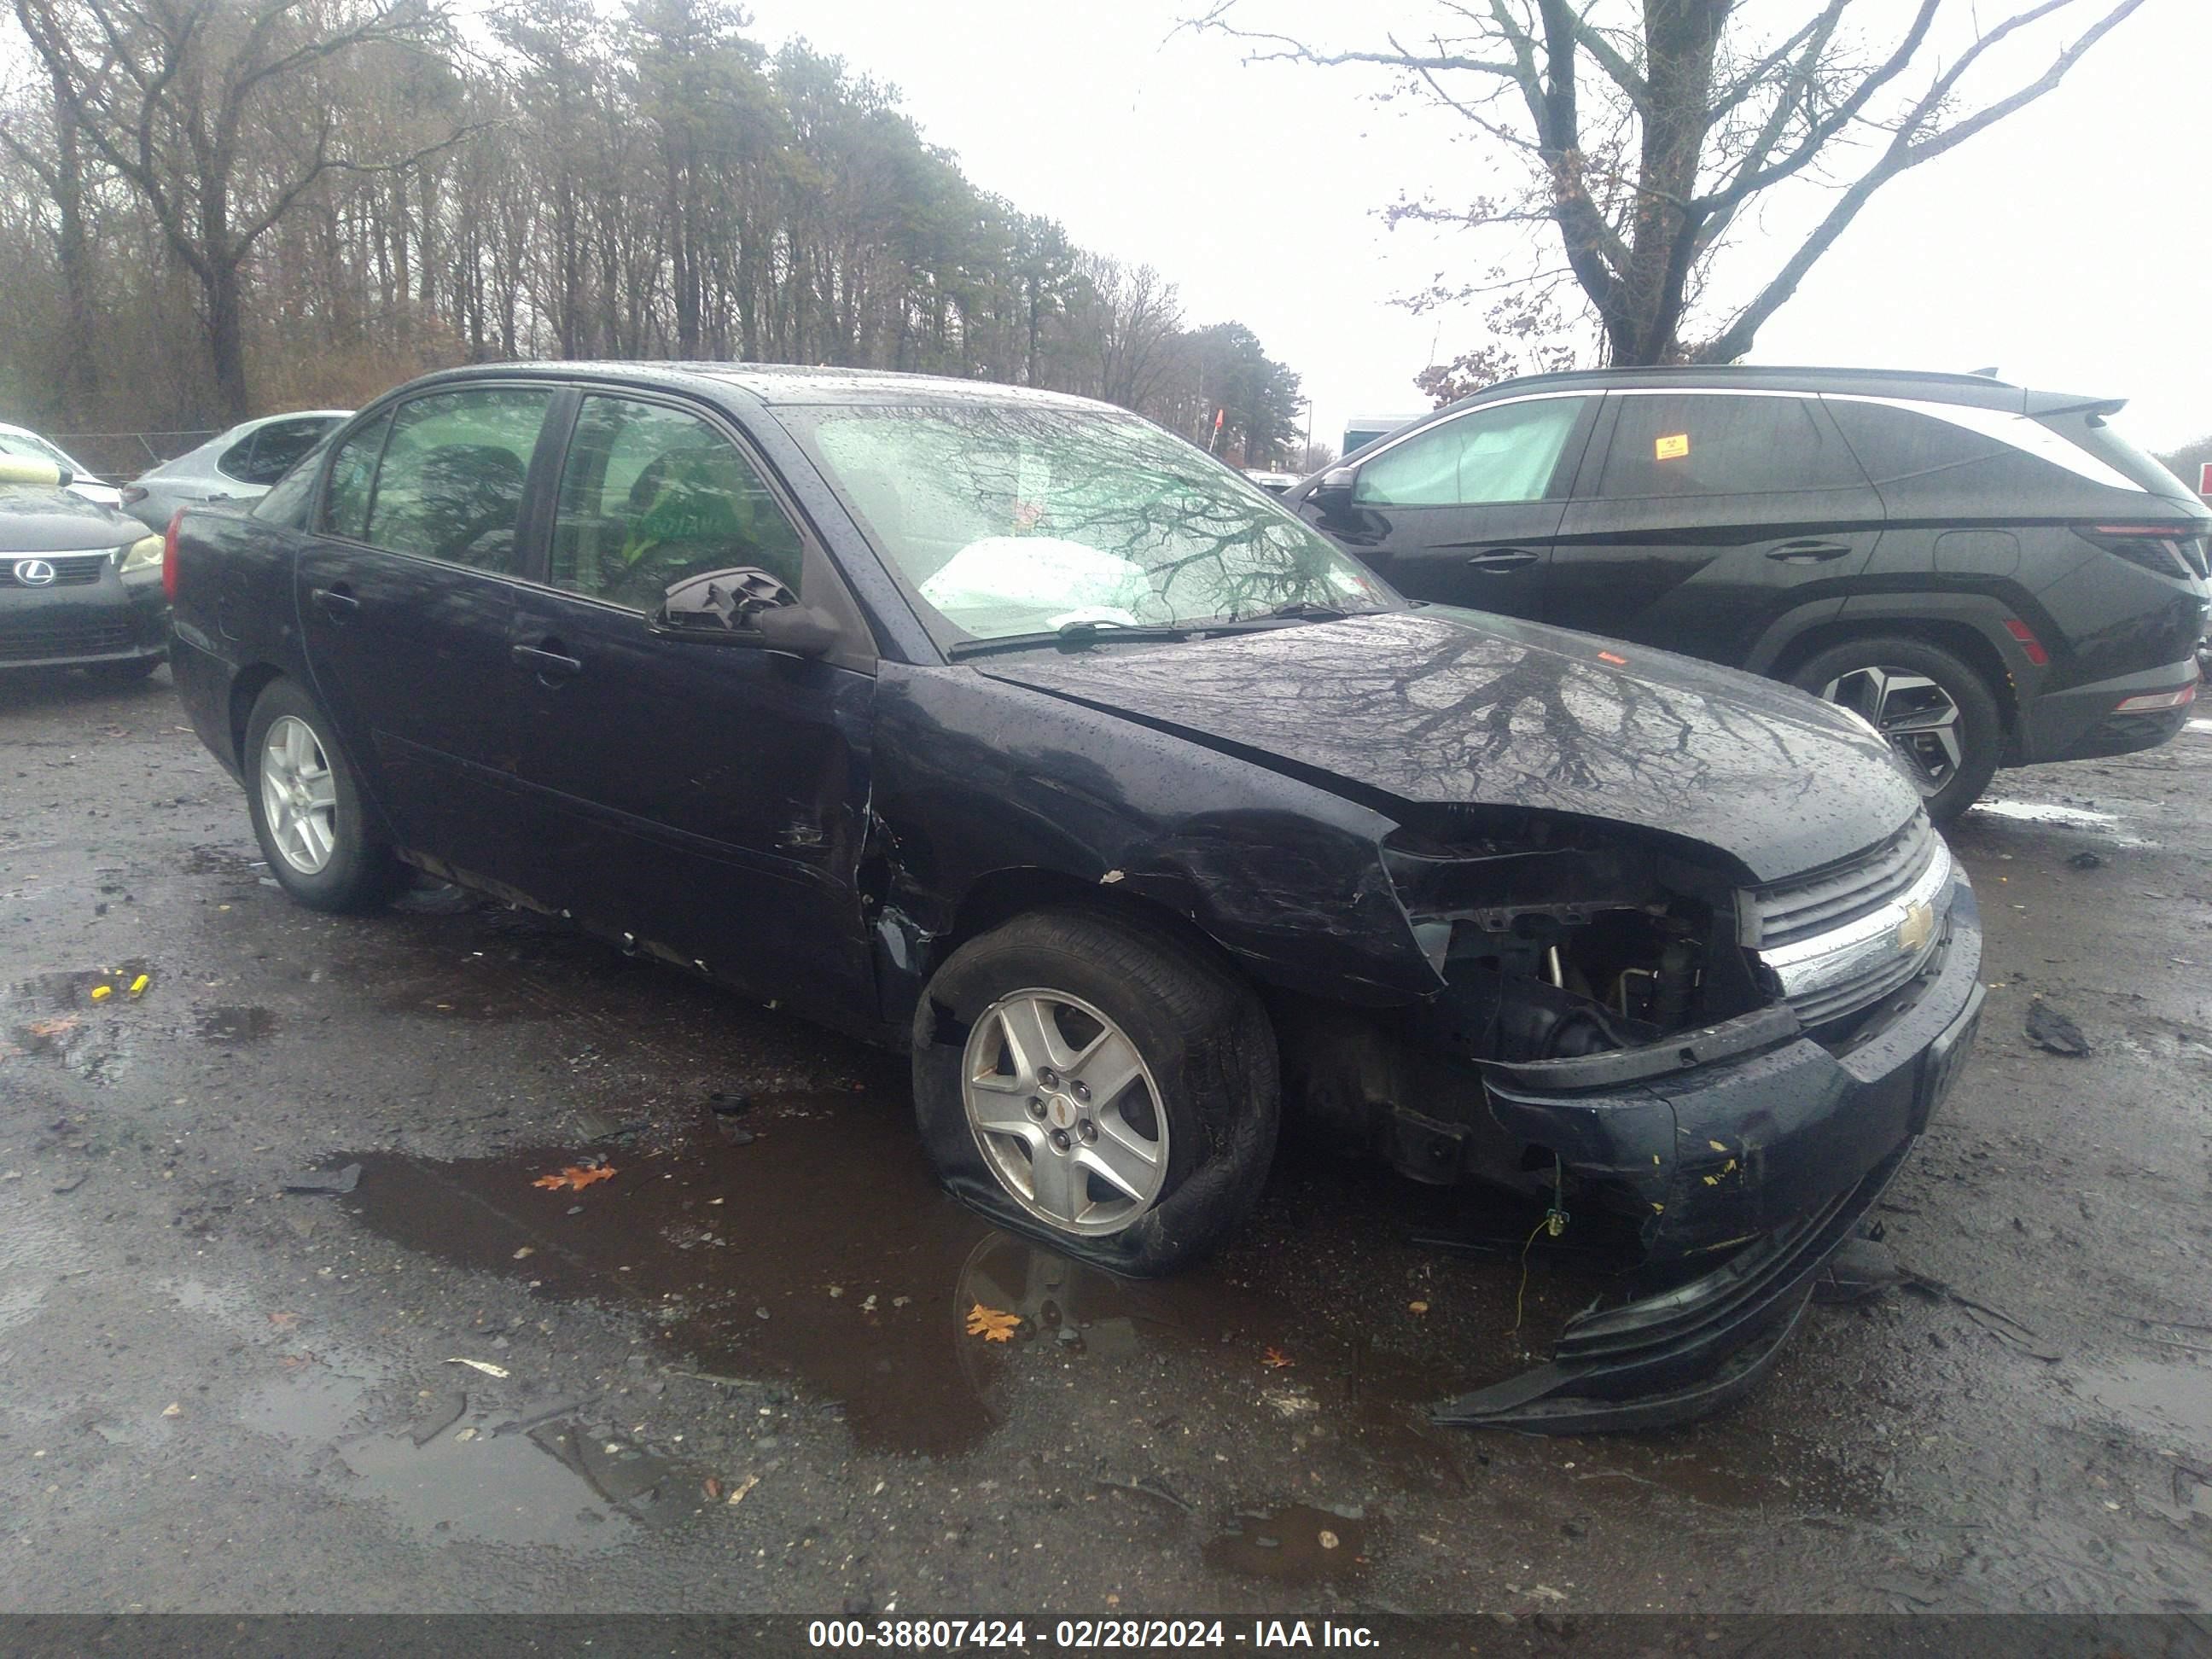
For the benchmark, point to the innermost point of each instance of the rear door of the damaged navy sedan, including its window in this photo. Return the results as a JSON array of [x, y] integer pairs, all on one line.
[[408, 601]]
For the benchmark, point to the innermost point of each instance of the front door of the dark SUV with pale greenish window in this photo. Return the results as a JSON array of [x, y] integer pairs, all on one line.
[[1465, 512]]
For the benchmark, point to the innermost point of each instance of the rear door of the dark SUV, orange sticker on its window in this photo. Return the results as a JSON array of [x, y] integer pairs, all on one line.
[[1702, 519]]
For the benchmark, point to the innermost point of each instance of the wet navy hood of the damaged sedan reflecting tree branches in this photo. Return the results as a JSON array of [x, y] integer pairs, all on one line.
[[1459, 707]]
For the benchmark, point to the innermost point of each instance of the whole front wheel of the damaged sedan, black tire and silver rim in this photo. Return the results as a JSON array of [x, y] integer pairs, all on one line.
[[1207, 1085]]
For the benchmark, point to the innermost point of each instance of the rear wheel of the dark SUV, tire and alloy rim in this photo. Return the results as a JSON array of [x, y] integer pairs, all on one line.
[[1952, 760]]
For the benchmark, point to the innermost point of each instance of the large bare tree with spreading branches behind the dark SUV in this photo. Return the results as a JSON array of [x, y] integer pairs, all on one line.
[[1645, 129]]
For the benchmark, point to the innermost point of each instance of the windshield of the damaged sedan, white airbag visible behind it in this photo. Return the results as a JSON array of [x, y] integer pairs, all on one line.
[[1012, 521]]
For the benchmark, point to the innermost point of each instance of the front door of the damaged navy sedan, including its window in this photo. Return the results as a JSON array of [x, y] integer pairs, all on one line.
[[702, 797]]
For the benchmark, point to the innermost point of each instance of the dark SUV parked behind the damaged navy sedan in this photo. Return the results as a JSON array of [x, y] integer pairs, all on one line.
[[1990, 576]]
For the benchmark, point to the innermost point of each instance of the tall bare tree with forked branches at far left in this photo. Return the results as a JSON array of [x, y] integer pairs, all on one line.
[[182, 98]]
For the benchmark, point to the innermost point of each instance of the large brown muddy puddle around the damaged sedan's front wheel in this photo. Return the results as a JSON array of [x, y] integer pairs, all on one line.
[[817, 1251]]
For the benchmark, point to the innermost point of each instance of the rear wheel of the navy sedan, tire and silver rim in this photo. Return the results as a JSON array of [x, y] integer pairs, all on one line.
[[357, 868]]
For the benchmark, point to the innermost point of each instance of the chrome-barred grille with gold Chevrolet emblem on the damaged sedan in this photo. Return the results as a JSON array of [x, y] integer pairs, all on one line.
[[1848, 937]]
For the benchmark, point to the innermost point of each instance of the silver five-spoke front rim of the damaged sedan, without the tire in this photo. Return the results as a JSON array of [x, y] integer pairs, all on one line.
[[1065, 1112]]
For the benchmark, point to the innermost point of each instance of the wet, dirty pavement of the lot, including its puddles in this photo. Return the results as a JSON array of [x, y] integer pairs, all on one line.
[[645, 1297]]
